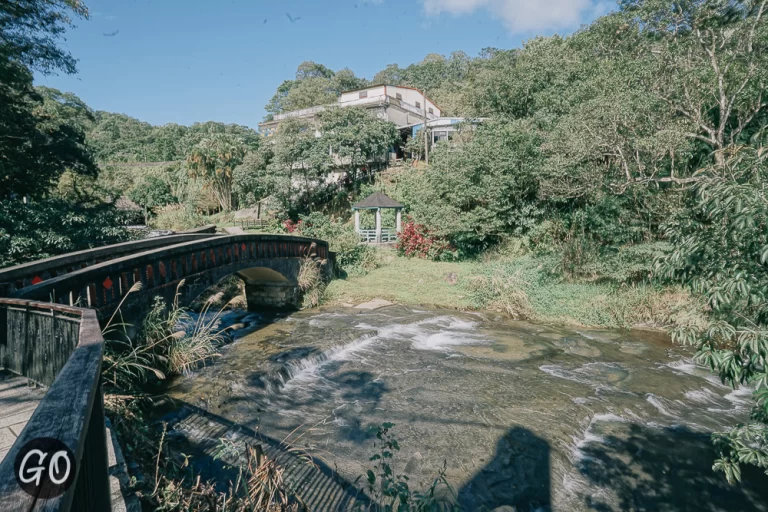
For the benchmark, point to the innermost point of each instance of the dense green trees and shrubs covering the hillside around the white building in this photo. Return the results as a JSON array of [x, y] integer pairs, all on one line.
[[626, 156]]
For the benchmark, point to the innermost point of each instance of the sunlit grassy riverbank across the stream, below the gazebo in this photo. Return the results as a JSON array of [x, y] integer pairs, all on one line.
[[521, 287]]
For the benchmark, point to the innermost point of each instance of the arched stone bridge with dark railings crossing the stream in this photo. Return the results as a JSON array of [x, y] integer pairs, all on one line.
[[100, 278]]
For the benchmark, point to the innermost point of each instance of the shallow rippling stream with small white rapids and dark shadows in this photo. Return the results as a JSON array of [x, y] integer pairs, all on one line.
[[534, 416]]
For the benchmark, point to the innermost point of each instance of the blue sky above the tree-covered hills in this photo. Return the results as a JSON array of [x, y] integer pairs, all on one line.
[[184, 61]]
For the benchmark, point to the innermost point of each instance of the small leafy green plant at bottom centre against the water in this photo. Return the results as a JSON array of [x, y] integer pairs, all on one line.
[[391, 490]]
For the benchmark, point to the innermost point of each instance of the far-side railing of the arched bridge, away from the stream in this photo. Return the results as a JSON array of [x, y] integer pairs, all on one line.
[[32, 273]]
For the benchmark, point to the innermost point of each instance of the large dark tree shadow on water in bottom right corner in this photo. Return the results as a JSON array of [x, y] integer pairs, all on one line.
[[666, 469]]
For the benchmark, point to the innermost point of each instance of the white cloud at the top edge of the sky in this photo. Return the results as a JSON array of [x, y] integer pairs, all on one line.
[[522, 16]]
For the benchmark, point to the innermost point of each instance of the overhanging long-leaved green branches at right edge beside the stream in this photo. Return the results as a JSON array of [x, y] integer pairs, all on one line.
[[721, 252]]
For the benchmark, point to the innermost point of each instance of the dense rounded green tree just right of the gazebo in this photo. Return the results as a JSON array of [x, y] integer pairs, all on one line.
[[477, 192]]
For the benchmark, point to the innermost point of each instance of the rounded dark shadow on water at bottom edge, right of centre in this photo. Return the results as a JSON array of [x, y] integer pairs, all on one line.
[[517, 476]]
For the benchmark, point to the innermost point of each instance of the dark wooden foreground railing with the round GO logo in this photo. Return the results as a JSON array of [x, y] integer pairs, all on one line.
[[62, 347]]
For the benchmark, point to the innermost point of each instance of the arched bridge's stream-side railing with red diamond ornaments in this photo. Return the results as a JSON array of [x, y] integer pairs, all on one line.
[[102, 286]]
